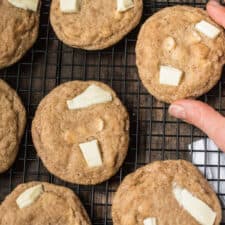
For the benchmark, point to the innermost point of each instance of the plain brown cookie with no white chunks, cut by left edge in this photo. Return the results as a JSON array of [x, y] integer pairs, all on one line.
[[12, 124]]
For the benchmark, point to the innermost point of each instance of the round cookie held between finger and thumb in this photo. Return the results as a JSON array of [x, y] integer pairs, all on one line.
[[170, 38]]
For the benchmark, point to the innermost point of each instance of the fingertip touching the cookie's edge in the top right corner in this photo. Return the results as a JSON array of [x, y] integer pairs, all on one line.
[[216, 11]]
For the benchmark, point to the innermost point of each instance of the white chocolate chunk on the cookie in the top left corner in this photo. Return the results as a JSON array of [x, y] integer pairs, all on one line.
[[25, 4]]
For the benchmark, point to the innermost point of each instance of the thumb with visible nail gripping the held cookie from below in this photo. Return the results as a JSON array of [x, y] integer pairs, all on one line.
[[202, 116]]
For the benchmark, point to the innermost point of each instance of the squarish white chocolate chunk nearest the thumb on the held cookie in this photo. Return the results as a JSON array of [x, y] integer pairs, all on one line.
[[169, 75]]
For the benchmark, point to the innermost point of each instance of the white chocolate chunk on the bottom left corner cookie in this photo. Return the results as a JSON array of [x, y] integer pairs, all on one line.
[[29, 196]]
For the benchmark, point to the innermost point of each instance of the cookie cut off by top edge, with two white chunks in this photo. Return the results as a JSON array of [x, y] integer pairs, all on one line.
[[97, 25]]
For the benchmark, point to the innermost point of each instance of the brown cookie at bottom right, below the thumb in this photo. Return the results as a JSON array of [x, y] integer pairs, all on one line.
[[148, 192]]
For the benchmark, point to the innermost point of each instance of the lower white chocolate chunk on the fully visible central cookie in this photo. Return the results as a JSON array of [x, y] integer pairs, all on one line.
[[91, 153]]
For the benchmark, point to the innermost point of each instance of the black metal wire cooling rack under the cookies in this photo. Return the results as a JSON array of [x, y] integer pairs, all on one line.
[[154, 134]]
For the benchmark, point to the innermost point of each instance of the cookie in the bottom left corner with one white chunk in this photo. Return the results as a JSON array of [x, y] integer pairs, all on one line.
[[52, 205]]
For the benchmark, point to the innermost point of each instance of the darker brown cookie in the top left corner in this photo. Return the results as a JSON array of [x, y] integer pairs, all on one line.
[[18, 32]]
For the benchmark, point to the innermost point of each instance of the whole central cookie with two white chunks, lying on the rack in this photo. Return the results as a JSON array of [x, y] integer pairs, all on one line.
[[63, 136]]
